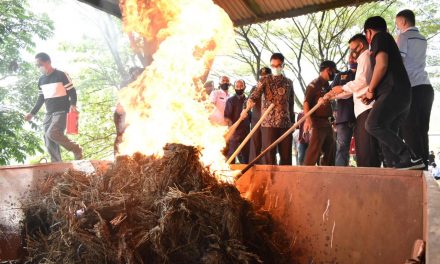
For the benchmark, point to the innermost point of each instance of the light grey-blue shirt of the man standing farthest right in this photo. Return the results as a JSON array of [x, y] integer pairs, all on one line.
[[412, 46]]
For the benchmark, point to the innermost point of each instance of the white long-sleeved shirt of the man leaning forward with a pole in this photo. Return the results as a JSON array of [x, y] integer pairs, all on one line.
[[359, 85]]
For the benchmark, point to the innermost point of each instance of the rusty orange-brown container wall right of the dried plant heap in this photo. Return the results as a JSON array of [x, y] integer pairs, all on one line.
[[341, 215]]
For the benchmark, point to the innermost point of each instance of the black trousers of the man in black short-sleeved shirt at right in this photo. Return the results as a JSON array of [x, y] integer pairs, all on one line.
[[383, 123]]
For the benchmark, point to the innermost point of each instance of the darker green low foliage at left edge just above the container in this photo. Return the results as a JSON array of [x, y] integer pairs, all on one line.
[[16, 143]]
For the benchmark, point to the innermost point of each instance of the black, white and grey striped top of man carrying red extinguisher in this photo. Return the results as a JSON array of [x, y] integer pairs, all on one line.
[[56, 91]]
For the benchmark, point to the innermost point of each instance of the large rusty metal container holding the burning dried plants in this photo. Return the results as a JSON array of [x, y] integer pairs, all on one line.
[[330, 214]]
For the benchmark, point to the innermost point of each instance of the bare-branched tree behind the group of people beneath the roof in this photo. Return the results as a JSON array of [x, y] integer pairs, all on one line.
[[305, 40]]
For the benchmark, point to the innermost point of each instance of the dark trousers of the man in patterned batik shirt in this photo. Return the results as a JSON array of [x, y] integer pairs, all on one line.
[[269, 135]]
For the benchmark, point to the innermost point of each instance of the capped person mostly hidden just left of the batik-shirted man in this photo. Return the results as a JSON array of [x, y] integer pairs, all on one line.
[[256, 141]]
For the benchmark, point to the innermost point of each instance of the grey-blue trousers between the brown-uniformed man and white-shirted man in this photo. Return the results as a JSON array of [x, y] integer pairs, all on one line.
[[344, 132]]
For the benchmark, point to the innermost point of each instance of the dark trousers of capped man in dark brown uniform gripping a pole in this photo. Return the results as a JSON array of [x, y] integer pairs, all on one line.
[[322, 141]]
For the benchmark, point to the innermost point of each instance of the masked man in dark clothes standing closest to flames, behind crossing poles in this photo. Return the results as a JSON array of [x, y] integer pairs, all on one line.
[[233, 109]]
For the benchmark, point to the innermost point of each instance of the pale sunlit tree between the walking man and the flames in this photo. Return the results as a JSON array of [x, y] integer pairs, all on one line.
[[108, 57]]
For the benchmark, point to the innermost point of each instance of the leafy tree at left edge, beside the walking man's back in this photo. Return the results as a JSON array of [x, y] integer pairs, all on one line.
[[18, 29]]
